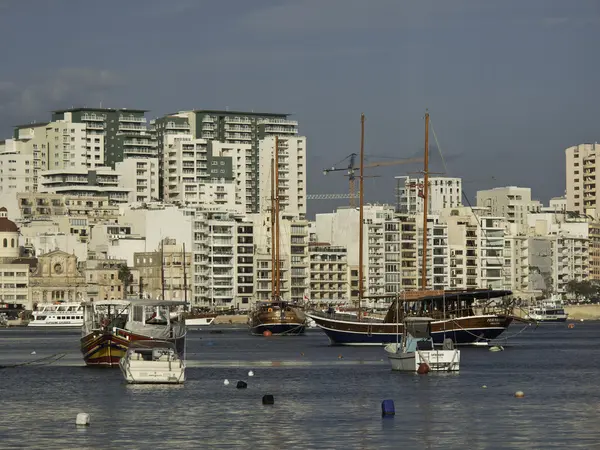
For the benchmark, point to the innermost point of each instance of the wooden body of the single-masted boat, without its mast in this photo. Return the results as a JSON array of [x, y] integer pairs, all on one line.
[[278, 318]]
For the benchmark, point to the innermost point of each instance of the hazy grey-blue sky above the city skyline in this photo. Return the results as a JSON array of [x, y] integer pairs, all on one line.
[[508, 84]]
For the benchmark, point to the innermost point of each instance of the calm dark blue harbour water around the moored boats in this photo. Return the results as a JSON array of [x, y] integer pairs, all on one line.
[[322, 400]]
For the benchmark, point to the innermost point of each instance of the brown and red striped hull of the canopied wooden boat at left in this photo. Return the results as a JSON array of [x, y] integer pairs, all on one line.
[[106, 348]]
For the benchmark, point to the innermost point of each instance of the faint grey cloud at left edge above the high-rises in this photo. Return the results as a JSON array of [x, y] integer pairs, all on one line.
[[32, 100]]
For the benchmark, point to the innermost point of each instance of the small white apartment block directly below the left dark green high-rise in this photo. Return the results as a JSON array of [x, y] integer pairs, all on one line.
[[140, 177]]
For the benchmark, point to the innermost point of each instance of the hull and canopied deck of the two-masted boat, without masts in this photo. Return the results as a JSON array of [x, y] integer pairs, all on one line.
[[455, 320]]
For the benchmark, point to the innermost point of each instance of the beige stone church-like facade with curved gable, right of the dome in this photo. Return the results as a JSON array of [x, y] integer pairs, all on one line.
[[57, 278]]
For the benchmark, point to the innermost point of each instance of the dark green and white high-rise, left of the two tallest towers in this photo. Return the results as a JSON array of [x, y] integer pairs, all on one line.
[[118, 133]]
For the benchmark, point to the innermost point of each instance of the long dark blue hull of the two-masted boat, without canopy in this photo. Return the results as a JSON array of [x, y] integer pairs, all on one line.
[[471, 330]]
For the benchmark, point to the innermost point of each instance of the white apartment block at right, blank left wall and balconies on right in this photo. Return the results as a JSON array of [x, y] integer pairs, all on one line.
[[559, 251]]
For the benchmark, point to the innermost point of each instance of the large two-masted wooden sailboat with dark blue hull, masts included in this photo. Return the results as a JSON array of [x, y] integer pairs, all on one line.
[[453, 312]]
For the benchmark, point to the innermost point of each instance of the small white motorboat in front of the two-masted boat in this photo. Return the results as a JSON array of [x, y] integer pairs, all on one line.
[[416, 352]]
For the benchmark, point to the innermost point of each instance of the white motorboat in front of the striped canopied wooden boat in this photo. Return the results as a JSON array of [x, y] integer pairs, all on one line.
[[152, 362]]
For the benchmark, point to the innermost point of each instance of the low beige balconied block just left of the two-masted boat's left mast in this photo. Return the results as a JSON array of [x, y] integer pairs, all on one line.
[[328, 273]]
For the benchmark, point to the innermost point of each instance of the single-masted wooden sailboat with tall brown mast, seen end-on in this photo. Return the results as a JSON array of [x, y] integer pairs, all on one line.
[[276, 316]]
